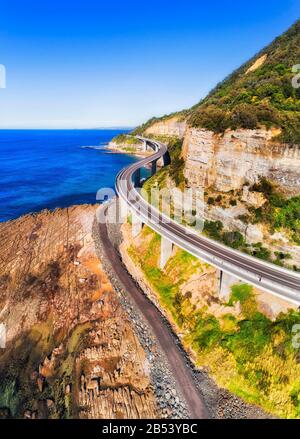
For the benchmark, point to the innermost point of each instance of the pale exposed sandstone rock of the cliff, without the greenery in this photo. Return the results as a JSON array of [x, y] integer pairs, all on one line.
[[227, 165]]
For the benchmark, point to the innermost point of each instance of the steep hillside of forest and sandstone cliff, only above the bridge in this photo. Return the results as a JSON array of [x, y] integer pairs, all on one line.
[[243, 136]]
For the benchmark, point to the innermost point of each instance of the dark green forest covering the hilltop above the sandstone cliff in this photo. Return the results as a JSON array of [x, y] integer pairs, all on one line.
[[263, 96]]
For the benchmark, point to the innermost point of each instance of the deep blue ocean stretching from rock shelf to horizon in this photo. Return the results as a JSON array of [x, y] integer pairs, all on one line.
[[54, 168]]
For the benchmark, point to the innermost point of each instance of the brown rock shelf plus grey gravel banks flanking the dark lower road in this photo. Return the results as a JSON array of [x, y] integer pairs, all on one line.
[[57, 273]]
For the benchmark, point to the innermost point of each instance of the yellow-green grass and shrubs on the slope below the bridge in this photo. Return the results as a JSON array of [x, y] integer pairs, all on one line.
[[246, 353]]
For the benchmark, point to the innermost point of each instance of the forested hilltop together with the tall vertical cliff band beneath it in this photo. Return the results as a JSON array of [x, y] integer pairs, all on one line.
[[225, 142]]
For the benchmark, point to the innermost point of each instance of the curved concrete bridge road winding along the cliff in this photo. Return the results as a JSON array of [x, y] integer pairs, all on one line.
[[263, 275]]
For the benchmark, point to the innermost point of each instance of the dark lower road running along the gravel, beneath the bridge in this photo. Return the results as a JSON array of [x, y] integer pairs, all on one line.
[[177, 362]]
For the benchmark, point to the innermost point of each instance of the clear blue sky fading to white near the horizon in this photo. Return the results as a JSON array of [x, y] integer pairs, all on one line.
[[82, 64]]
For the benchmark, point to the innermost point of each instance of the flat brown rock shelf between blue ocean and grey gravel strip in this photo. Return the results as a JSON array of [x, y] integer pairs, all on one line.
[[70, 350]]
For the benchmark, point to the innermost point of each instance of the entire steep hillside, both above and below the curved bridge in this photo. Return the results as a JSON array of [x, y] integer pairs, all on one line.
[[241, 147]]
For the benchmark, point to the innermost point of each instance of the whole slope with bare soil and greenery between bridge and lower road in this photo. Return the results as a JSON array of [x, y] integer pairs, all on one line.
[[245, 333]]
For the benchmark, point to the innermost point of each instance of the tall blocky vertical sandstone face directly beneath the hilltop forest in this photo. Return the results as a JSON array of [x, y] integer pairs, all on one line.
[[226, 162]]
